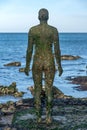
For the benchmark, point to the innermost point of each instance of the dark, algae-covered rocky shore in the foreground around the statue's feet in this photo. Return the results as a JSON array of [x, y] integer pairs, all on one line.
[[68, 114]]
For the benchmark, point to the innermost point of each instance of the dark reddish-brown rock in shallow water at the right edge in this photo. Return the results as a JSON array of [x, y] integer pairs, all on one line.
[[81, 81]]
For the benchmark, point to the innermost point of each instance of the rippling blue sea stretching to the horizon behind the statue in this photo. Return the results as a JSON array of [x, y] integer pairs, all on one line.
[[13, 48]]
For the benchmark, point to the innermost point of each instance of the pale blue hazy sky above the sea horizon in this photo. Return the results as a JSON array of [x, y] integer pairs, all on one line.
[[21, 15]]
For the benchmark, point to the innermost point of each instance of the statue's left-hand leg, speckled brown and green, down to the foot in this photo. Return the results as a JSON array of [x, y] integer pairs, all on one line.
[[37, 77]]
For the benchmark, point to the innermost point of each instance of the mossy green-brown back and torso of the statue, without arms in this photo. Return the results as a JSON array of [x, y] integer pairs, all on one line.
[[43, 36]]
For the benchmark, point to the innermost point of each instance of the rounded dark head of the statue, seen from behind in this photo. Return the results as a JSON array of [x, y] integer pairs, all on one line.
[[43, 14]]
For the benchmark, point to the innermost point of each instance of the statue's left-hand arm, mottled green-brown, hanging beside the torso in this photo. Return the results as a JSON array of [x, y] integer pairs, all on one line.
[[29, 52]]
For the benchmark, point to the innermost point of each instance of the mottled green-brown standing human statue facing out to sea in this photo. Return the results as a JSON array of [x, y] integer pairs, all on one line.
[[43, 38]]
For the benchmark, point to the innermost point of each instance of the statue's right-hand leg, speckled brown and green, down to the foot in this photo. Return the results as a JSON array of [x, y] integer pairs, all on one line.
[[49, 77]]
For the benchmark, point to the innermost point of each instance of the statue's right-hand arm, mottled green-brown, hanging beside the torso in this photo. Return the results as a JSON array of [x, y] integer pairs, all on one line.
[[57, 52]]
